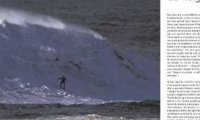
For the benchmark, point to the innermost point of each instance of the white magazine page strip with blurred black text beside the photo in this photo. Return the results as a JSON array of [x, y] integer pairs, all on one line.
[[180, 59]]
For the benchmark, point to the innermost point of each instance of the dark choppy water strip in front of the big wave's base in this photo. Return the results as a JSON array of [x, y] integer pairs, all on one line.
[[119, 110]]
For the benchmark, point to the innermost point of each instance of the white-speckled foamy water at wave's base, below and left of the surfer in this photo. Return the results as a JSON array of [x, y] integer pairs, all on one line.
[[27, 93]]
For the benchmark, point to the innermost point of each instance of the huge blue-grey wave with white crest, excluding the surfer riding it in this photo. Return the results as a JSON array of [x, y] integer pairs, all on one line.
[[35, 50]]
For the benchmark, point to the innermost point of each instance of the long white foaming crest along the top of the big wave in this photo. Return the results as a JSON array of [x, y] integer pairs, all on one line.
[[22, 18]]
